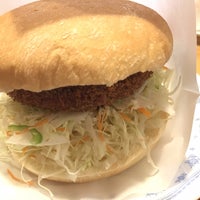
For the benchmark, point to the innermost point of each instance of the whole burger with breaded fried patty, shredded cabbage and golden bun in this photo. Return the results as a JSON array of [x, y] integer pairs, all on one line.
[[84, 91]]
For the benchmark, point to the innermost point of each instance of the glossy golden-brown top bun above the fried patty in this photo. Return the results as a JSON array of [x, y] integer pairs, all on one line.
[[55, 43]]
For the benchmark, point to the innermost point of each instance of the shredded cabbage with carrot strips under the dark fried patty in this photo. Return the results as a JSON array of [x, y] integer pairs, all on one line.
[[92, 139]]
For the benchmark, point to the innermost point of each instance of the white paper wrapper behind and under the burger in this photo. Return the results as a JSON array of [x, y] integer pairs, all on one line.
[[139, 181]]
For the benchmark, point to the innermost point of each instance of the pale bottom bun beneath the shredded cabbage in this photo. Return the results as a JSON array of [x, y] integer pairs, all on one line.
[[50, 169]]
